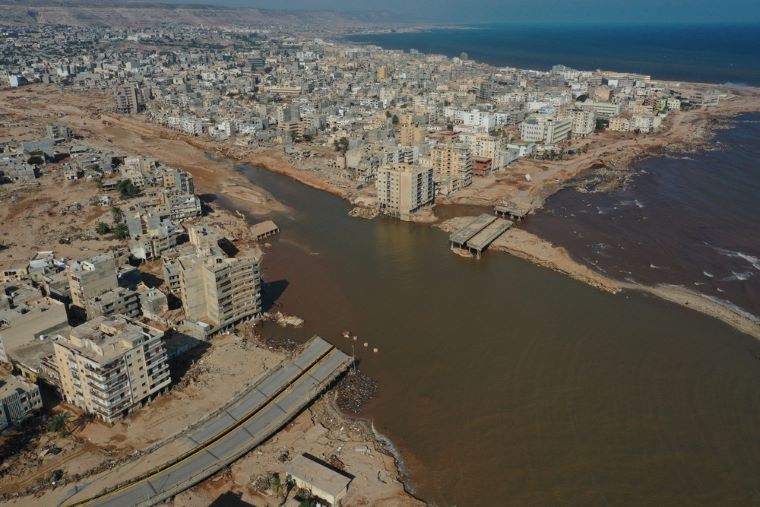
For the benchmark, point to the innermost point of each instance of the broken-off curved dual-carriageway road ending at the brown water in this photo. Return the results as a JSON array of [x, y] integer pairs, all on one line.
[[233, 432]]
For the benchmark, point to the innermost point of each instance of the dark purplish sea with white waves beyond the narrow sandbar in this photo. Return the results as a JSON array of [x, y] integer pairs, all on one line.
[[686, 219]]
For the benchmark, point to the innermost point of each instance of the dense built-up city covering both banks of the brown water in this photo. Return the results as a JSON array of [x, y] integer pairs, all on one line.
[[110, 300]]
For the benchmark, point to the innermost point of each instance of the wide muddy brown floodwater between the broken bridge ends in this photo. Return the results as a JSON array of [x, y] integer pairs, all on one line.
[[502, 383]]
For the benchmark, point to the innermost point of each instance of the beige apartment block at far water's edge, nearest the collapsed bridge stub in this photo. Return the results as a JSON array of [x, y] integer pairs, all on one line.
[[403, 189]]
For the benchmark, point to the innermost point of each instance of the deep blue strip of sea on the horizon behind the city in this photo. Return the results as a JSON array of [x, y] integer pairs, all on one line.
[[718, 53]]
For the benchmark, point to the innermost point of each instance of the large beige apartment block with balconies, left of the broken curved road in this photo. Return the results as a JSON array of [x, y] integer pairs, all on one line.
[[109, 365]]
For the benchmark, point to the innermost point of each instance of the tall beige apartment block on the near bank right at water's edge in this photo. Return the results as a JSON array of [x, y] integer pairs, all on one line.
[[220, 291]]
